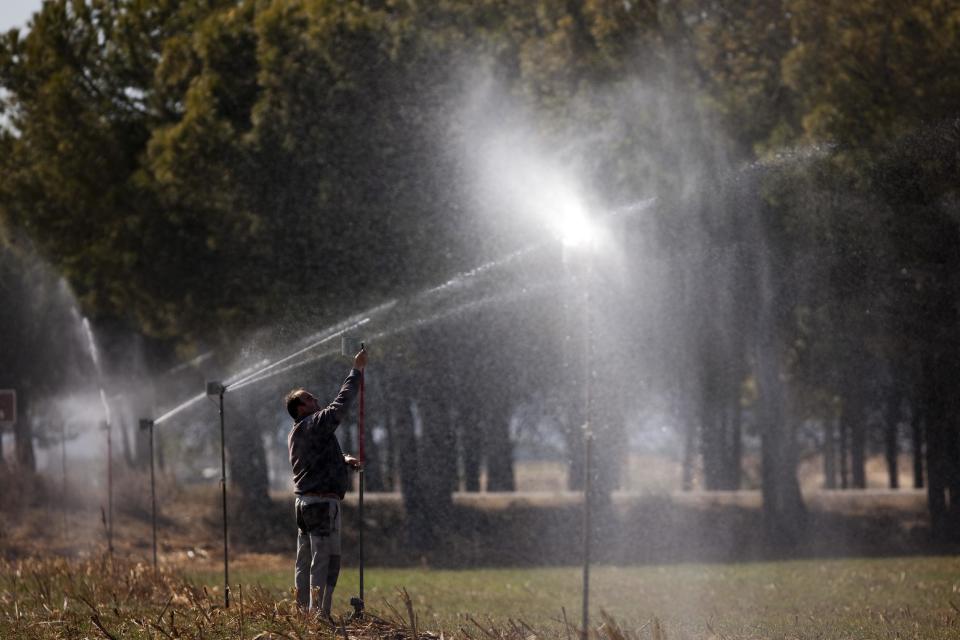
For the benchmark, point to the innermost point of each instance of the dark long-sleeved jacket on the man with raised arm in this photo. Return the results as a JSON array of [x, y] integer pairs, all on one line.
[[315, 453]]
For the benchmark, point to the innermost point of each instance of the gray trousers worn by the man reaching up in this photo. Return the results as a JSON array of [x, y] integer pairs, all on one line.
[[318, 557]]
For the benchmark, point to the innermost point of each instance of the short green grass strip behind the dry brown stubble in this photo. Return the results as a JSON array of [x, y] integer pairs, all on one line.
[[871, 598]]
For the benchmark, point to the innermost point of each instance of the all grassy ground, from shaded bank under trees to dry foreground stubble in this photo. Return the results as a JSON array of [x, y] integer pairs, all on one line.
[[908, 589]]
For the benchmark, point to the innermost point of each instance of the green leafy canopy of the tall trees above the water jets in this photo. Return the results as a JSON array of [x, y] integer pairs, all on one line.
[[199, 169]]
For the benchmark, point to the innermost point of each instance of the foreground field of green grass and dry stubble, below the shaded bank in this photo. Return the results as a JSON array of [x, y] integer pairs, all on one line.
[[917, 597]]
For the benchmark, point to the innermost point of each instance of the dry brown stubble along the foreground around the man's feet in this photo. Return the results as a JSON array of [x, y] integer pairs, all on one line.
[[110, 598]]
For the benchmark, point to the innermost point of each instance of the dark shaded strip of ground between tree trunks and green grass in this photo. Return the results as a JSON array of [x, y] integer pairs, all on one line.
[[644, 530]]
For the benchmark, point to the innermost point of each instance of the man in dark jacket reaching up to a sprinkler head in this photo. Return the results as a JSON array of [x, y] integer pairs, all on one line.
[[320, 479]]
